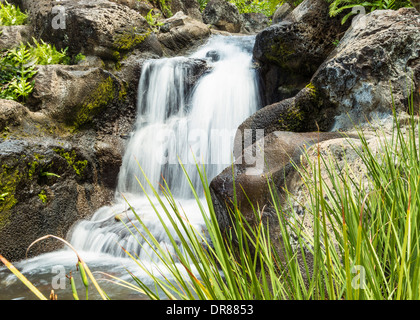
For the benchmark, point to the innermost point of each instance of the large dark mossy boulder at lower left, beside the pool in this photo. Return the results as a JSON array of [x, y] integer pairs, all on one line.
[[46, 186]]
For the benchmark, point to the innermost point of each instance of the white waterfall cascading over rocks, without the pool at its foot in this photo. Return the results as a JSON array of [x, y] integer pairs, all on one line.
[[176, 122]]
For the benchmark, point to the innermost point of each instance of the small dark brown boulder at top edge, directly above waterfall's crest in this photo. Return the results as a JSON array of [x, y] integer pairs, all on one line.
[[223, 15]]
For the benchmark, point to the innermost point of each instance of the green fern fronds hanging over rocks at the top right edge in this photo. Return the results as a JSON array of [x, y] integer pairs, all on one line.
[[339, 6]]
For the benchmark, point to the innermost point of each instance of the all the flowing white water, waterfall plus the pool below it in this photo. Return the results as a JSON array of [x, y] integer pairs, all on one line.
[[188, 111]]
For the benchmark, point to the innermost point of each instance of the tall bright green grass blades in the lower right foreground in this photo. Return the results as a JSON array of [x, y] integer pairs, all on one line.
[[363, 242]]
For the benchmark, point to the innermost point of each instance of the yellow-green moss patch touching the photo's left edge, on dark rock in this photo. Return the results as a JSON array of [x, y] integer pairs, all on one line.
[[9, 179]]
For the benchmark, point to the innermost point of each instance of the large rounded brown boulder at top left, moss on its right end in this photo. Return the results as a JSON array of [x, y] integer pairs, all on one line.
[[96, 27]]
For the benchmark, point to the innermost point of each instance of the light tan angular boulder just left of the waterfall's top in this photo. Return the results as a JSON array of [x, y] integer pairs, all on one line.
[[181, 32]]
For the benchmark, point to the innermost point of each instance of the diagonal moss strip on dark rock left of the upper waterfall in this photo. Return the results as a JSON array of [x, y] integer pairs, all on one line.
[[104, 93]]
